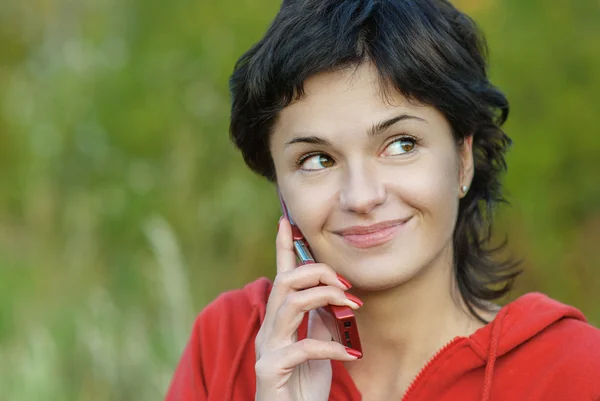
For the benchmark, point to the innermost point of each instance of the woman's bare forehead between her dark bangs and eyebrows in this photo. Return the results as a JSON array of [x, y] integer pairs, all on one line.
[[347, 100]]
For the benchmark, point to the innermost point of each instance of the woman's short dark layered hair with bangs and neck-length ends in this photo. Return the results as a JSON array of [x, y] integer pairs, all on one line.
[[428, 51]]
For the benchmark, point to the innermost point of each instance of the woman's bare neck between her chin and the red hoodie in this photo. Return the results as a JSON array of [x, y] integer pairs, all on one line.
[[407, 324]]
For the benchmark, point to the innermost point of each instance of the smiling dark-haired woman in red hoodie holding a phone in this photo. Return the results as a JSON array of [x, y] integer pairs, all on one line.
[[379, 126]]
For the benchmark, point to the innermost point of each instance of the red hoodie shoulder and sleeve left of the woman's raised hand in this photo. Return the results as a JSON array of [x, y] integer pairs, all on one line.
[[220, 350]]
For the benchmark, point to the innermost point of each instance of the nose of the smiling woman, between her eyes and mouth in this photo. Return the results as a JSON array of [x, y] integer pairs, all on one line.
[[362, 189]]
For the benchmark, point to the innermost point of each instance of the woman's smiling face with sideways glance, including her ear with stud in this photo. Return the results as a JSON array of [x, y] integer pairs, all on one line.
[[374, 185]]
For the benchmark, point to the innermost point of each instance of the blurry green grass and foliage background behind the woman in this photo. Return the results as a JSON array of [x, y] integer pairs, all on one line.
[[124, 209]]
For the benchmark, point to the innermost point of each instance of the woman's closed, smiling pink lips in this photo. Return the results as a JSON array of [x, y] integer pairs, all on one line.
[[373, 235]]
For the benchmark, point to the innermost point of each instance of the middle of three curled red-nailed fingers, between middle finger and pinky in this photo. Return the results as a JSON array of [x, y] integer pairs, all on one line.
[[291, 313]]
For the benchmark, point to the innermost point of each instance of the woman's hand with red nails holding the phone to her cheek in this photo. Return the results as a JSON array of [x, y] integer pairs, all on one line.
[[288, 369]]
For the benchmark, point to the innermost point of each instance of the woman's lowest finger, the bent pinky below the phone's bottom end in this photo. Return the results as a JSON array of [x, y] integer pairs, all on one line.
[[297, 353]]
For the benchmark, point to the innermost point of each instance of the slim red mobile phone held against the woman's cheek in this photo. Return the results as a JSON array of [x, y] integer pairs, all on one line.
[[340, 320]]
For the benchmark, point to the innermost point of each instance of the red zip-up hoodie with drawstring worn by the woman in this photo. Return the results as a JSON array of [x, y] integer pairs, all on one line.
[[535, 349]]
